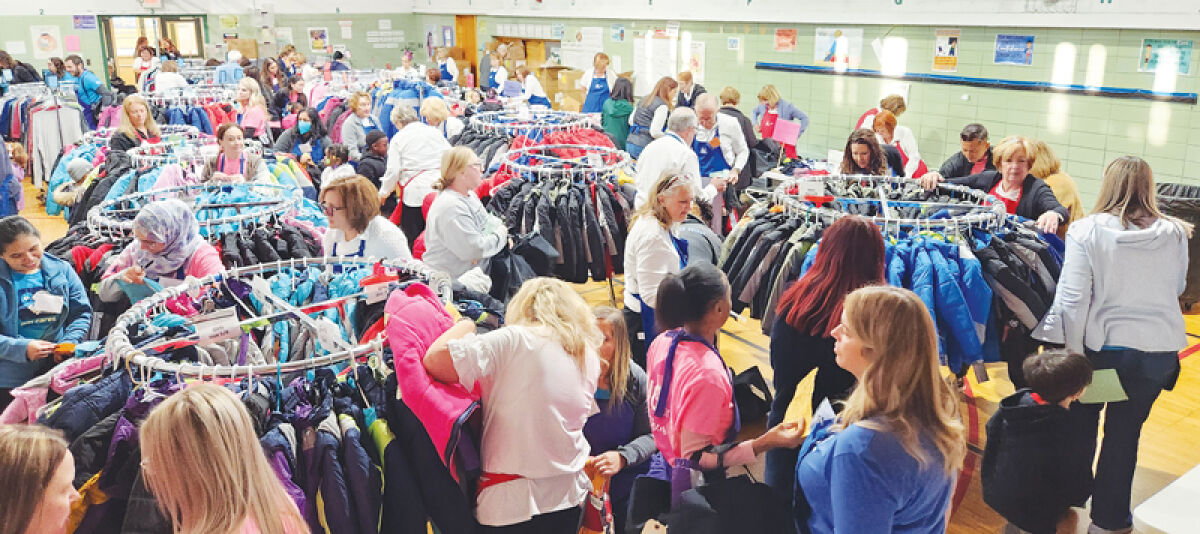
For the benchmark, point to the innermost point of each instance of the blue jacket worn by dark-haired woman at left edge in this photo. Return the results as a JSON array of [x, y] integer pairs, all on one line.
[[73, 327]]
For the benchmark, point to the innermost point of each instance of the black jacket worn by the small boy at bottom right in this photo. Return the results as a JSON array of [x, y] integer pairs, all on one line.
[[1036, 464]]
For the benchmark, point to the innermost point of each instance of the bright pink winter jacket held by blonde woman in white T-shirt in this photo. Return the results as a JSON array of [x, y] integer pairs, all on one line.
[[416, 319]]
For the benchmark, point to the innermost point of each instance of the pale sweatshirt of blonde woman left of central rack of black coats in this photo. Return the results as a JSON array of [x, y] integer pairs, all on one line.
[[460, 233]]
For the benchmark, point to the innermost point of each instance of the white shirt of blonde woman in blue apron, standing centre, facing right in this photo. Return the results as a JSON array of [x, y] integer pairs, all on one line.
[[650, 257]]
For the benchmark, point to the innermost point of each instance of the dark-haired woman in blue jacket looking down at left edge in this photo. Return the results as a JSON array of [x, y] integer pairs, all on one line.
[[43, 304]]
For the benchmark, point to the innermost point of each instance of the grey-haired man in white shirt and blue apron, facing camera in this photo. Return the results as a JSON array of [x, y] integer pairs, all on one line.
[[722, 152]]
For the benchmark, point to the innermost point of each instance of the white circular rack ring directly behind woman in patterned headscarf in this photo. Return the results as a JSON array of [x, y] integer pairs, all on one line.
[[116, 218]]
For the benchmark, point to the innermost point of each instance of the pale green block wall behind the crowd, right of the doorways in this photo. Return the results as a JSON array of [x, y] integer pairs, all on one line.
[[1085, 131]]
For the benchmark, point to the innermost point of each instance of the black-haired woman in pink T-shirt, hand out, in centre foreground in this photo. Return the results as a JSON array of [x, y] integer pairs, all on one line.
[[694, 415]]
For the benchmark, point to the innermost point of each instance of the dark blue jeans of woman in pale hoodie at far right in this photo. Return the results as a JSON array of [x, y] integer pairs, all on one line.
[[1143, 376]]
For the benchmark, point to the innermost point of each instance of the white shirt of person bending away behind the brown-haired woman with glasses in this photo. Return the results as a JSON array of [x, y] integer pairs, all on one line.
[[415, 161]]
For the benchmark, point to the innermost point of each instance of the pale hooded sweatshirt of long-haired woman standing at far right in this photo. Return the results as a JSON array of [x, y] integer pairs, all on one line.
[[1105, 296]]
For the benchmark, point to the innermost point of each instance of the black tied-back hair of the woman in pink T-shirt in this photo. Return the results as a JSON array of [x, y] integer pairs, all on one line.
[[687, 297]]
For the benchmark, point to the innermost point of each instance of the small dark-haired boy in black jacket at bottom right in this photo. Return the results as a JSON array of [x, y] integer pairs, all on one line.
[[1036, 465]]
